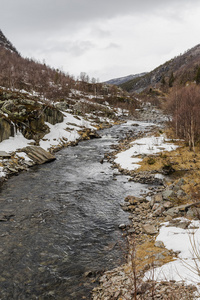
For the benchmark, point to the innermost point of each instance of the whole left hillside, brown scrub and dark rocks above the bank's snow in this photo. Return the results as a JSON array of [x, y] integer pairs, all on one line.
[[34, 97]]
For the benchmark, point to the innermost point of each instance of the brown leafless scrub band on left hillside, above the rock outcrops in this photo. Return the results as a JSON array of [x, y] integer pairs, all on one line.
[[52, 84]]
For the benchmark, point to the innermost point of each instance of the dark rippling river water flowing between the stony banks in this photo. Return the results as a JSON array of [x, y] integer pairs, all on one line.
[[62, 222]]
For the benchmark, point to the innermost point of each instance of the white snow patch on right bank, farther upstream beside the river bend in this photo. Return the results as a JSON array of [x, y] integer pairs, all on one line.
[[145, 146]]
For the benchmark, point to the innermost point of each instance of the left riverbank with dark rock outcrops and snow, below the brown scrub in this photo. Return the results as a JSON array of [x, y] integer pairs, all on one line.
[[29, 121]]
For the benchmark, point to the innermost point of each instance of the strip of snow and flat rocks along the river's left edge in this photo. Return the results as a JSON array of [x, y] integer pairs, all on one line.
[[18, 154]]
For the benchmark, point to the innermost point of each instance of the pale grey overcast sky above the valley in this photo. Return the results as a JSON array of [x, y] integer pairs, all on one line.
[[104, 38]]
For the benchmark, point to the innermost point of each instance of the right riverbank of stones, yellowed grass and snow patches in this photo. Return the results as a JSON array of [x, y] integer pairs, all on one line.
[[169, 206]]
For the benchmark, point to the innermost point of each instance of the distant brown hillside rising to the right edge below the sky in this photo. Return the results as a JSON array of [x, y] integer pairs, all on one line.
[[177, 71]]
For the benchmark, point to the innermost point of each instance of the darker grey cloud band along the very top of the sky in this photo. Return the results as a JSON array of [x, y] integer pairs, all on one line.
[[51, 15]]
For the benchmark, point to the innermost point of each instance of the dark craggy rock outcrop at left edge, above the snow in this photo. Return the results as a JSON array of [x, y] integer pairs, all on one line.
[[19, 111]]
